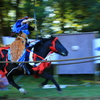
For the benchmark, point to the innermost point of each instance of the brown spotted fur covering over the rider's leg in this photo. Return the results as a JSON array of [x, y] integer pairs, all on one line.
[[17, 47]]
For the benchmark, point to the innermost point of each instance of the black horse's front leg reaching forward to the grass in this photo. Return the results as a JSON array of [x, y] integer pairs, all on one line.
[[50, 77]]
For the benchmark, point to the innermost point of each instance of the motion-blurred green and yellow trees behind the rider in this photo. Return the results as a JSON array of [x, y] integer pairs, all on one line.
[[53, 16]]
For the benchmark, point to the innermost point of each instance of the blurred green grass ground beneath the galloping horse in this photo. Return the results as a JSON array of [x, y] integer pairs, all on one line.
[[82, 91]]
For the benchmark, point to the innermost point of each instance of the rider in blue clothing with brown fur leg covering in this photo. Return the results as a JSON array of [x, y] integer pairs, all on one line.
[[22, 28]]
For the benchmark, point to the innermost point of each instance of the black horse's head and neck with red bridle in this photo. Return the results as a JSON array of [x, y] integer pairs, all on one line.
[[45, 45]]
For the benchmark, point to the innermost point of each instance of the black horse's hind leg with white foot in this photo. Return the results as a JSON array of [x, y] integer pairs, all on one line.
[[11, 81]]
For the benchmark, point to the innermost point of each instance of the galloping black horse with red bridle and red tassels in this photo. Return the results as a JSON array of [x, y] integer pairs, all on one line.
[[41, 50]]
